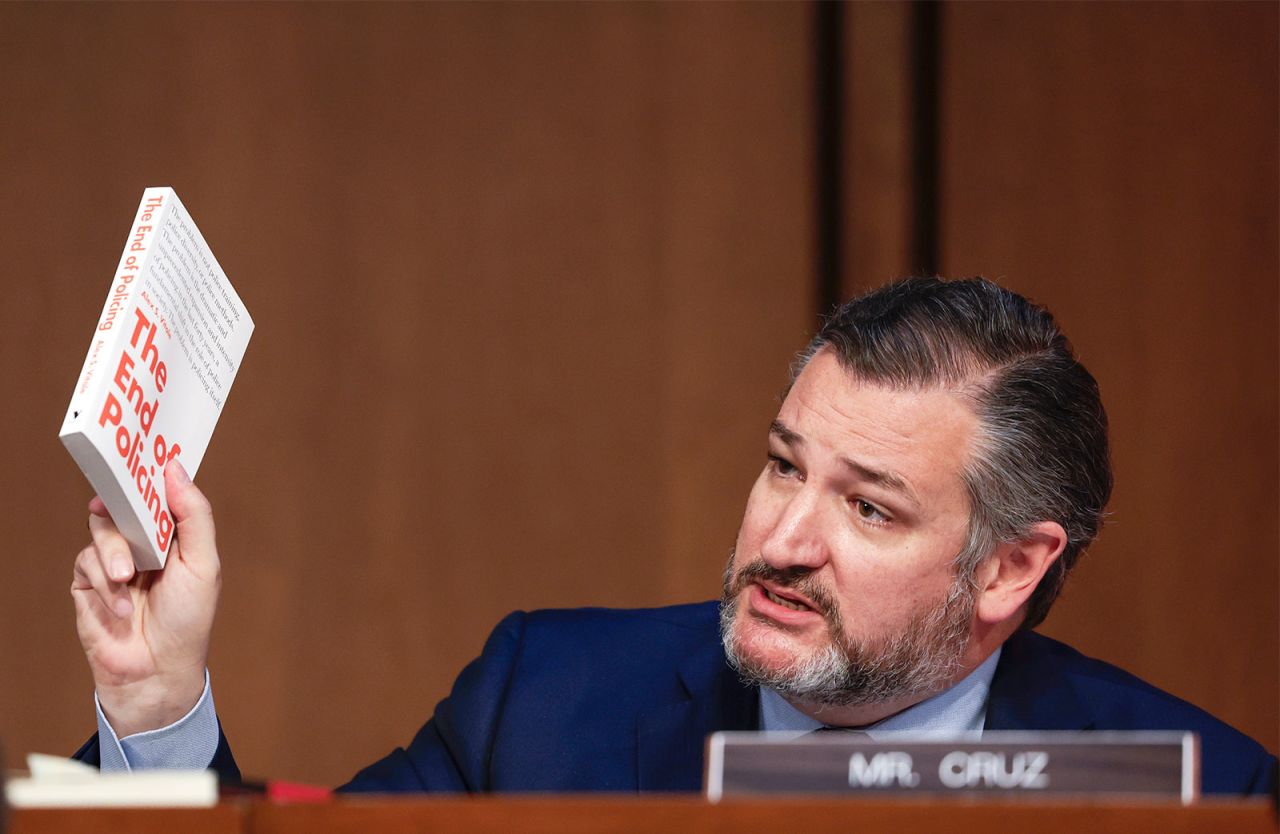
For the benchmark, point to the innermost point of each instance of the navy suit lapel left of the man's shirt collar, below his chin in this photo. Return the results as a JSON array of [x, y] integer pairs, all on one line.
[[671, 737]]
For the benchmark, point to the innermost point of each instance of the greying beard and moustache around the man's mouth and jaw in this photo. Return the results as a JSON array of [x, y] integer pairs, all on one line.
[[916, 659]]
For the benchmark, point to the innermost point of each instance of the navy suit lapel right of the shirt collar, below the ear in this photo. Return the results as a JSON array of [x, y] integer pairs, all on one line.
[[1031, 690]]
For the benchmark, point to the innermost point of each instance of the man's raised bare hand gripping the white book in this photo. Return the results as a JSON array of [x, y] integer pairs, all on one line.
[[147, 635]]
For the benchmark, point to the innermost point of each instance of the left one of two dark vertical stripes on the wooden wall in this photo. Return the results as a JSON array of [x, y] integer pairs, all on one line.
[[829, 75]]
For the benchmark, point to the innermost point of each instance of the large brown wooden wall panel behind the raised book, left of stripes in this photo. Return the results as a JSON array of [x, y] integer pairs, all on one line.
[[527, 282]]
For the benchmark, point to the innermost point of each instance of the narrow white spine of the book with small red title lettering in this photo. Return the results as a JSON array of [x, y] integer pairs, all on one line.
[[113, 324]]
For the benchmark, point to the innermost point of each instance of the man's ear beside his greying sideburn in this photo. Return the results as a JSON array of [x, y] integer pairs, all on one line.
[[1013, 571]]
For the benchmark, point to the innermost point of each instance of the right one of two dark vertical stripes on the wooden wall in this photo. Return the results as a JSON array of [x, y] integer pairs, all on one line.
[[926, 63]]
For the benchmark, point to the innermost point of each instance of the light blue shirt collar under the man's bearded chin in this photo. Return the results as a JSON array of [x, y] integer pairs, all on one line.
[[957, 711]]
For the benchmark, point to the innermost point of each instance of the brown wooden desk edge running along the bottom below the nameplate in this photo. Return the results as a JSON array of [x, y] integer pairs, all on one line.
[[630, 815]]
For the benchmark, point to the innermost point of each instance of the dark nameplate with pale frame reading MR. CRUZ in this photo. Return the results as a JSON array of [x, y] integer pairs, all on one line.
[[1005, 764]]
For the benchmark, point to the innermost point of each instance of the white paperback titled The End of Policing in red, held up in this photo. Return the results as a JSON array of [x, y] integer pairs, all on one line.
[[163, 359]]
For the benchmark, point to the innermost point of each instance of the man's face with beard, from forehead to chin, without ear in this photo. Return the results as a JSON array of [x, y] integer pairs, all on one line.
[[842, 589]]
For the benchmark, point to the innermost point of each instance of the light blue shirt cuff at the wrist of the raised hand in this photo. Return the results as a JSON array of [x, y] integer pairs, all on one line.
[[188, 744]]
